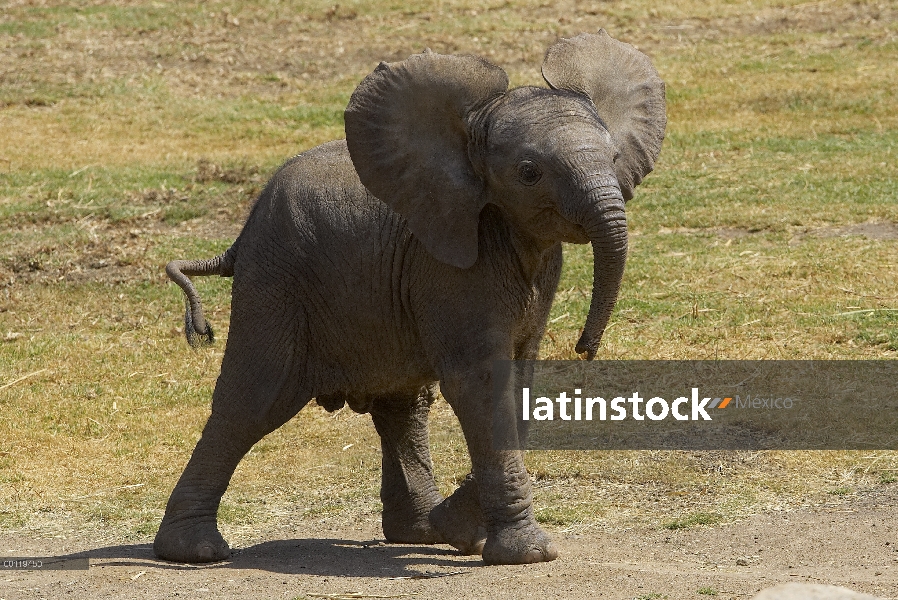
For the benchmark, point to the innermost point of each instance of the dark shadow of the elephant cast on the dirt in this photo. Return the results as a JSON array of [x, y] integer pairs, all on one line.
[[321, 557]]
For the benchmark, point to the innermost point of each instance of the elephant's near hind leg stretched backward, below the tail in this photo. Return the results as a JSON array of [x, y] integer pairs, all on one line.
[[259, 389]]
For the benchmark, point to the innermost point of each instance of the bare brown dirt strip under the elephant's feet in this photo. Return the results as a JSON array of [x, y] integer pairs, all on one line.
[[854, 545]]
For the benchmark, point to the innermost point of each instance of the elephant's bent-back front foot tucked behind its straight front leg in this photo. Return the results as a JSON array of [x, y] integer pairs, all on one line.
[[460, 520]]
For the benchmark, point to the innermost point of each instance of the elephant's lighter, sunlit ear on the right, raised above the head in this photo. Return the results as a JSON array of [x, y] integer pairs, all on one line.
[[626, 91]]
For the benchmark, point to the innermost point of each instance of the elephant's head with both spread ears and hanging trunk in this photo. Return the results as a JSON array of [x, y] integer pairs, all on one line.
[[438, 137]]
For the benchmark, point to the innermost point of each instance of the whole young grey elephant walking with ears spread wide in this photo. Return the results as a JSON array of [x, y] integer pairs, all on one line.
[[411, 255]]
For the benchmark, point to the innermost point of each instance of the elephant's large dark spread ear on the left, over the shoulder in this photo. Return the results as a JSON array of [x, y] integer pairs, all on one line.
[[407, 129]]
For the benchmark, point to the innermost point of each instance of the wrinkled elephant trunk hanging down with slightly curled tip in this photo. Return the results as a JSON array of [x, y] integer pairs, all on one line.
[[605, 223]]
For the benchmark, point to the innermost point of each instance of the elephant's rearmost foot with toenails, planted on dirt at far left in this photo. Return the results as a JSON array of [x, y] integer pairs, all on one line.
[[190, 541]]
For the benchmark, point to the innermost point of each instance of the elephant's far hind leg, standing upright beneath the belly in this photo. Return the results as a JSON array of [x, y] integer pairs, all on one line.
[[408, 491]]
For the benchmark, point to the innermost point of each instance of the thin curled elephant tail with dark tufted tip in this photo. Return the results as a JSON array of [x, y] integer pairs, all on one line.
[[197, 330]]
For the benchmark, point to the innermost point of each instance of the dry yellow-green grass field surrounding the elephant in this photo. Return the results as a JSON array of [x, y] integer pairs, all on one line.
[[136, 133]]
